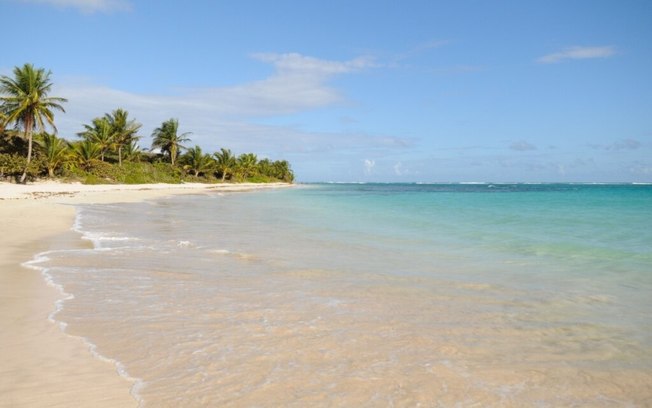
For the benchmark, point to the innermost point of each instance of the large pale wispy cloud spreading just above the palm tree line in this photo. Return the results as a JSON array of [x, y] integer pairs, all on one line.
[[228, 116]]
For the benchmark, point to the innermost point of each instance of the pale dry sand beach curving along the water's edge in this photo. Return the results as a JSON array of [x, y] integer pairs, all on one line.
[[40, 365]]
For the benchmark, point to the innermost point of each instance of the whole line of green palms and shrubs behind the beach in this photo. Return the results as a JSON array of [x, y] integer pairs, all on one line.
[[107, 149]]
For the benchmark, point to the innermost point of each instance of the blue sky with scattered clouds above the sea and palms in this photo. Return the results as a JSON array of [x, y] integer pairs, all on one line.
[[363, 90]]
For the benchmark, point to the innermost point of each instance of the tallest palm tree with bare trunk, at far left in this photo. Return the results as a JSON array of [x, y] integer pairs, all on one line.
[[27, 103]]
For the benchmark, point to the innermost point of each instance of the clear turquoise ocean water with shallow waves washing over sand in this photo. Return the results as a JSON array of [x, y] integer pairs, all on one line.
[[369, 295]]
